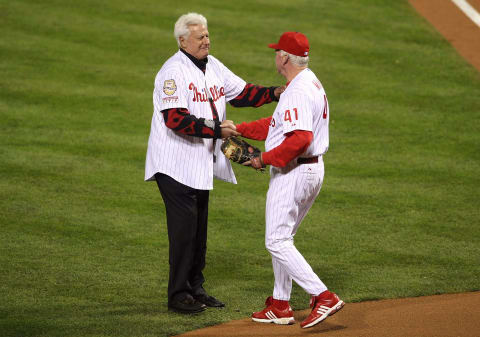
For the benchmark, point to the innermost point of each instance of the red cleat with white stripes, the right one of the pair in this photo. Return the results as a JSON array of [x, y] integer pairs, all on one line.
[[324, 305]]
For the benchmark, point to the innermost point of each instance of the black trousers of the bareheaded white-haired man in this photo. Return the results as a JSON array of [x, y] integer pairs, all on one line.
[[187, 215]]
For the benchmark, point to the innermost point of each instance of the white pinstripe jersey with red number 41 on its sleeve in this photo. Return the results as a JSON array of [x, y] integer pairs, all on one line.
[[302, 106]]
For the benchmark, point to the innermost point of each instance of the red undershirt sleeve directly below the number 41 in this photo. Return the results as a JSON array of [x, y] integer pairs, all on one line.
[[295, 143]]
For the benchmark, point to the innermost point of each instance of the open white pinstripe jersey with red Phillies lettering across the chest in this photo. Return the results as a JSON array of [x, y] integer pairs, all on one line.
[[187, 159]]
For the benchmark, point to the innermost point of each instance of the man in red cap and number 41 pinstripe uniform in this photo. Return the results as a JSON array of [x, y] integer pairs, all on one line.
[[296, 139]]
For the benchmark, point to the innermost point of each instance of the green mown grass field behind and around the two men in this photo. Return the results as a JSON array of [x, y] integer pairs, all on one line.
[[84, 250]]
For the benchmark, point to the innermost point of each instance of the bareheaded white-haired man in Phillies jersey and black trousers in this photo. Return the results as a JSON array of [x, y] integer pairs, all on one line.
[[183, 155]]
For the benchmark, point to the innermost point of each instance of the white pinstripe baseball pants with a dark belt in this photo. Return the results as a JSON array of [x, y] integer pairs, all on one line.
[[291, 193]]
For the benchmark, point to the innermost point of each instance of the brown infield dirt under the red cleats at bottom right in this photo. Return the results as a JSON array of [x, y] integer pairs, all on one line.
[[441, 315]]
